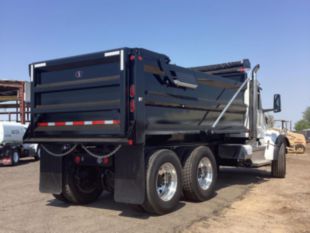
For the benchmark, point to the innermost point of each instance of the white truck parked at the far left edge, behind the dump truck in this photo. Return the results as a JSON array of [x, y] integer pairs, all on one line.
[[11, 143]]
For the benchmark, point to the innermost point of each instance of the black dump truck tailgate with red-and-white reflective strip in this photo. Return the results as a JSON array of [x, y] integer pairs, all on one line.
[[79, 98]]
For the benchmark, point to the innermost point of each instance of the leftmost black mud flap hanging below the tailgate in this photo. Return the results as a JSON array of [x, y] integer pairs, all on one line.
[[50, 173]]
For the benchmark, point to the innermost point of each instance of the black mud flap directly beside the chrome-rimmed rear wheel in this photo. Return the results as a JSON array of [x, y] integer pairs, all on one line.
[[130, 175]]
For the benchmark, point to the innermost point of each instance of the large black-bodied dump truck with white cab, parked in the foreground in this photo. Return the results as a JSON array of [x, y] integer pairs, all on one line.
[[128, 121]]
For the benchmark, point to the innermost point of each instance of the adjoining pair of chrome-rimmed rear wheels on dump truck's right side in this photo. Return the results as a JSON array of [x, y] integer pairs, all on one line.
[[166, 178]]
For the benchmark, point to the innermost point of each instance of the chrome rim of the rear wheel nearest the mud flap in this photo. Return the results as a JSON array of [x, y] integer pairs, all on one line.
[[166, 181]]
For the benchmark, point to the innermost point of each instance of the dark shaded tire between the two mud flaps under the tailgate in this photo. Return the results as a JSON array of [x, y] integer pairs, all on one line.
[[81, 184]]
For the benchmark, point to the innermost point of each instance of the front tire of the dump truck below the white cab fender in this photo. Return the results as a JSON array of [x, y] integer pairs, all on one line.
[[278, 166]]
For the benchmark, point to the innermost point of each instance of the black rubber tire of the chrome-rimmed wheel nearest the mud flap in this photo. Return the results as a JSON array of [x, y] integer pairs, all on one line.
[[153, 202]]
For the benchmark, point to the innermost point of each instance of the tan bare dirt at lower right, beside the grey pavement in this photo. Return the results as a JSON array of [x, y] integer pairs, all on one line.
[[279, 205]]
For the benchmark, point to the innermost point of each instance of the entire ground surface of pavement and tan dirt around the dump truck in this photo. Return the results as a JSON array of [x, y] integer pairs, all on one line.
[[246, 200]]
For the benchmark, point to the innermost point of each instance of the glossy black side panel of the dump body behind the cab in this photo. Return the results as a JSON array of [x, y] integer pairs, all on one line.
[[172, 109]]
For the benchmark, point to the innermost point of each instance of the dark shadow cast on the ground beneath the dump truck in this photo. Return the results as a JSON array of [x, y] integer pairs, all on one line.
[[227, 177]]
